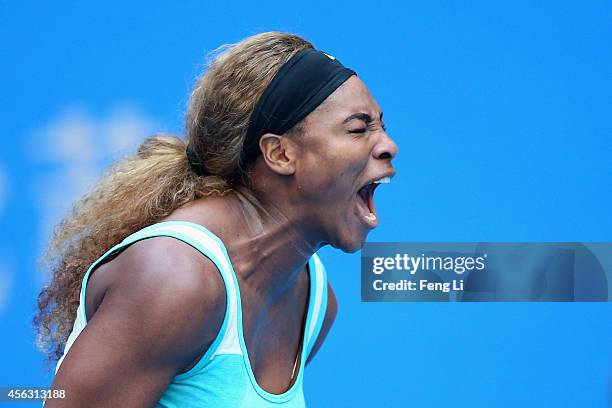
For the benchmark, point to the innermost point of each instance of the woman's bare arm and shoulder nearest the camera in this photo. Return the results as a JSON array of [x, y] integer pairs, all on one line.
[[163, 310]]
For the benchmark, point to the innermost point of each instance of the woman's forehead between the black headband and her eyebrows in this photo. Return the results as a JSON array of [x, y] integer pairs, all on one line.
[[351, 97]]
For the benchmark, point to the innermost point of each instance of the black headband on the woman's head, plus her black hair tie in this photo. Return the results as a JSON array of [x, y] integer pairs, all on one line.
[[302, 84]]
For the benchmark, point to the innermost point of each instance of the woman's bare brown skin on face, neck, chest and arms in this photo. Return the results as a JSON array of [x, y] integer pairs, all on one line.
[[156, 307]]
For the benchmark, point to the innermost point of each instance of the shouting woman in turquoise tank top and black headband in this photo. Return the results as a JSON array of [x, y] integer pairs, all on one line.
[[285, 148]]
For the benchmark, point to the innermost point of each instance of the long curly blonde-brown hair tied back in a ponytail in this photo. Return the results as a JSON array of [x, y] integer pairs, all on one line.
[[147, 187]]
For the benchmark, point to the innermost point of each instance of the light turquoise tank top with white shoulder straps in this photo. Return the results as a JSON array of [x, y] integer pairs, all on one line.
[[223, 377]]
